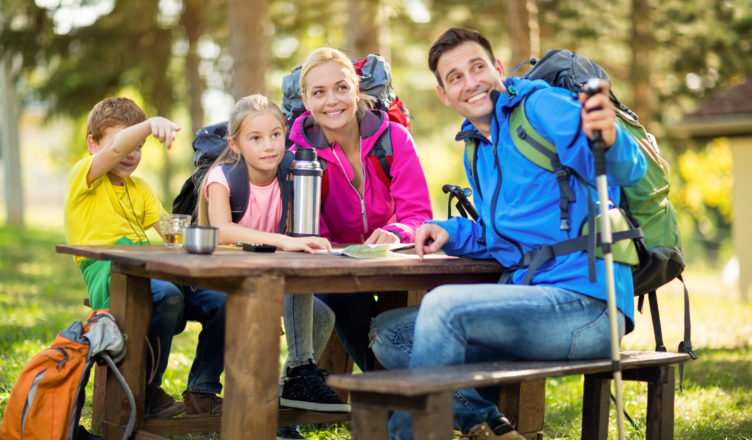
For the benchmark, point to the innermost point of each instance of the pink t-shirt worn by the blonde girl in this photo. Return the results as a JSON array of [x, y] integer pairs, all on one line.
[[264, 210]]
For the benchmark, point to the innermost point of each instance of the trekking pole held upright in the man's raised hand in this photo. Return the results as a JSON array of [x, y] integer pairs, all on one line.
[[592, 87]]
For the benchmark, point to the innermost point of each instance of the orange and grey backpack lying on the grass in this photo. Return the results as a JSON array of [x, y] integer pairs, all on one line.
[[47, 399]]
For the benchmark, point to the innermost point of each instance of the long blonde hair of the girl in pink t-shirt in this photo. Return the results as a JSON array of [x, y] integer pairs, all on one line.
[[246, 107]]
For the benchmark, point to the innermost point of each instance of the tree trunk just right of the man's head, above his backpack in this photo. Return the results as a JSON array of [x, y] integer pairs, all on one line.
[[523, 29]]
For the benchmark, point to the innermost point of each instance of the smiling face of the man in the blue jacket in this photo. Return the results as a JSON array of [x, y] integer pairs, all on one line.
[[468, 76]]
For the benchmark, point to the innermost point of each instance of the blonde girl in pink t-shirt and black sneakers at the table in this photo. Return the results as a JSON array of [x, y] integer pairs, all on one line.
[[256, 139]]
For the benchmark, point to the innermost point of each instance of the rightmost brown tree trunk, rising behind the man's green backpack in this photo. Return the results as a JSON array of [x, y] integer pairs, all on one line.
[[643, 100]]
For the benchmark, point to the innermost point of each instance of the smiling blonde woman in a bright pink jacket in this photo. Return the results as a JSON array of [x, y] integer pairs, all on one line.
[[359, 208]]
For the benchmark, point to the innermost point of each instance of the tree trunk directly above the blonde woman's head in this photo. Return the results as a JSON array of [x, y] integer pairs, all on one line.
[[367, 28]]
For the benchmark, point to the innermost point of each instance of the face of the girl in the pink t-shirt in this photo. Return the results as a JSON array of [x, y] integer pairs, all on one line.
[[261, 142]]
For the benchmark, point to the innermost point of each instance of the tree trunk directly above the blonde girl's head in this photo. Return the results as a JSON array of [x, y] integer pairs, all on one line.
[[249, 43]]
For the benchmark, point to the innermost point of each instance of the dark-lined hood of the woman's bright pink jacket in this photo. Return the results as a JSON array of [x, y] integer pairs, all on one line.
[[305, 132]]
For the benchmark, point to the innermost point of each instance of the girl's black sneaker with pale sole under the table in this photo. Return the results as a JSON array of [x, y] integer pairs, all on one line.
[[304, 388]]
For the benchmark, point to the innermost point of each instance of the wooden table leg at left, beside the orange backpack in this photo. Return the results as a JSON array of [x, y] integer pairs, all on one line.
[[131, 306]]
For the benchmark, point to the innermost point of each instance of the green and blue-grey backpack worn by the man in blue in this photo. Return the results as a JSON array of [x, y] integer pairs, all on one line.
[[649, 217]]
